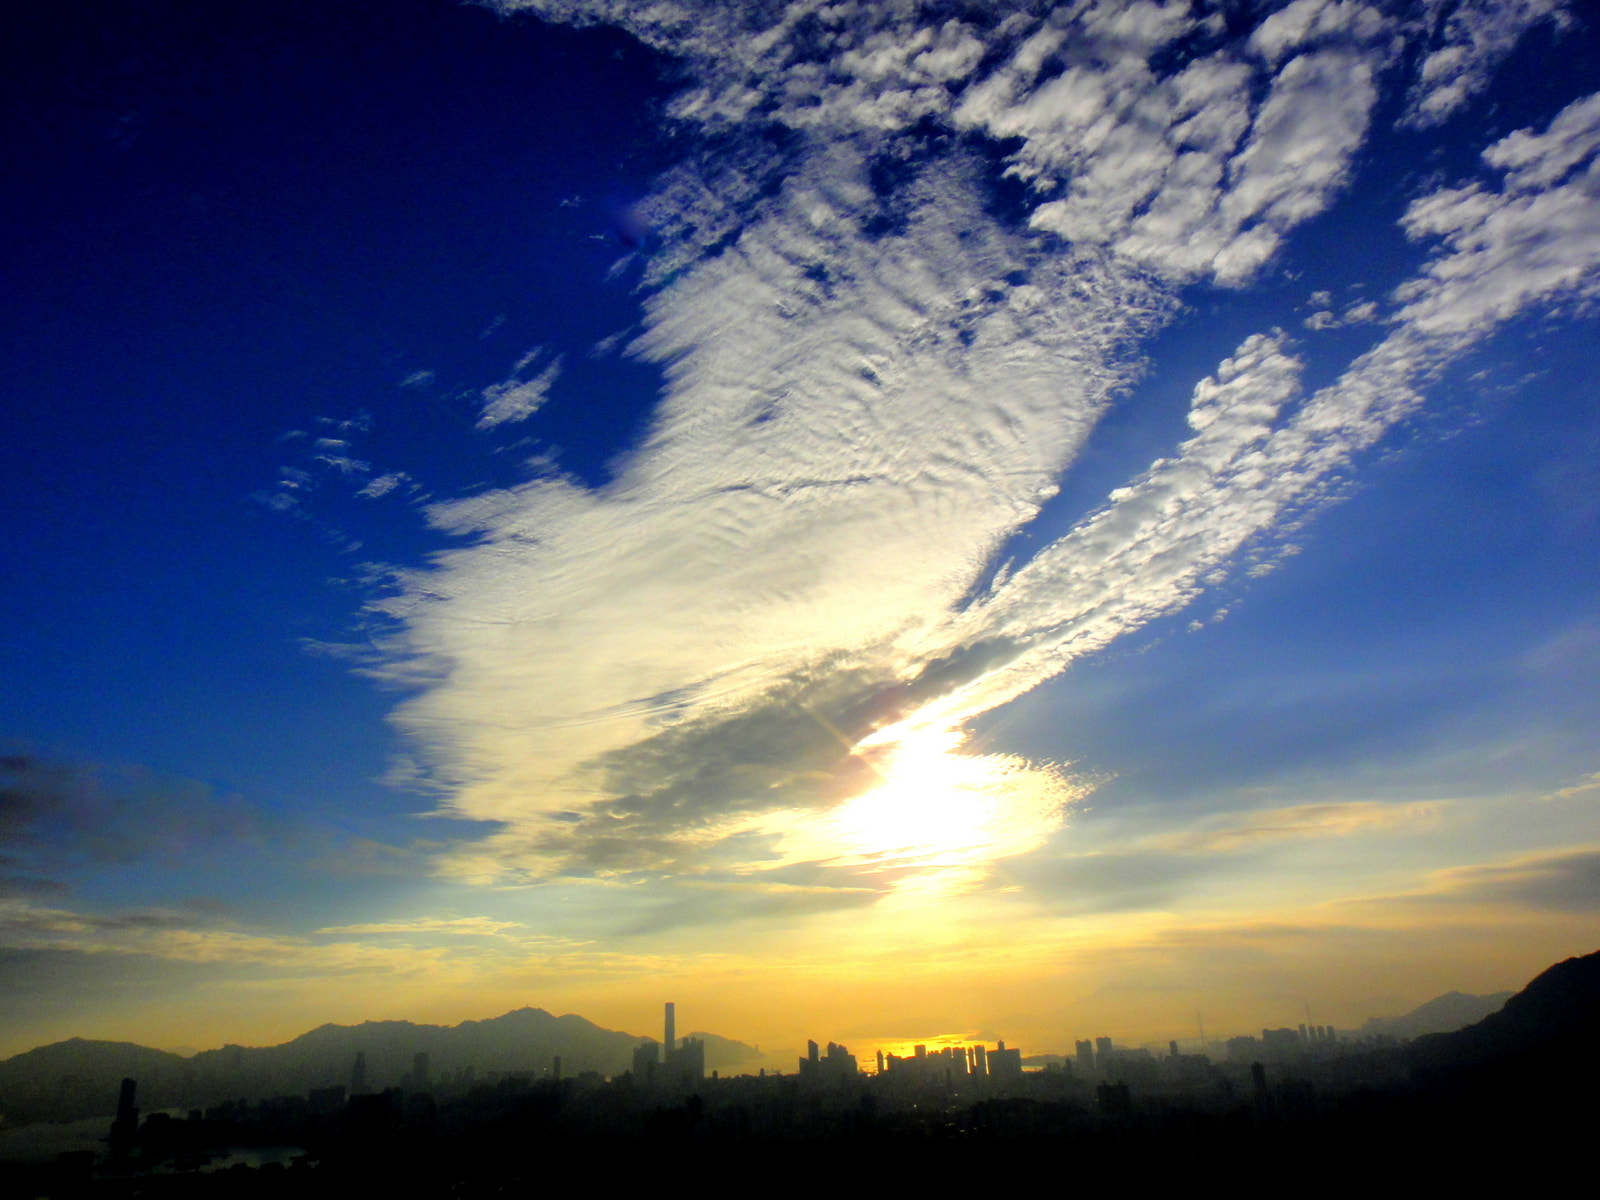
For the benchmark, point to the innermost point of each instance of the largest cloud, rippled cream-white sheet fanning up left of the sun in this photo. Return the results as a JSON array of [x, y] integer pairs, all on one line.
[[839, 407]]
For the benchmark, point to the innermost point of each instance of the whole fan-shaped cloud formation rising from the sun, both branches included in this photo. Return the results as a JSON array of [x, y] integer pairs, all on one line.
[[886, 335]]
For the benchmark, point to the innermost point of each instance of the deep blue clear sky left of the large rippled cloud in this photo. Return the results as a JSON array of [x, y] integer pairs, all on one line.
[[226, 226]]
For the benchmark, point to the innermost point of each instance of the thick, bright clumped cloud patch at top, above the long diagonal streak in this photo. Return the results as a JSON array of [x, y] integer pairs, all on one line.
[[1190, 174]]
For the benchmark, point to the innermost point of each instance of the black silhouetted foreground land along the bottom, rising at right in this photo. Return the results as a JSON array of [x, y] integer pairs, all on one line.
[[1508, 1103]]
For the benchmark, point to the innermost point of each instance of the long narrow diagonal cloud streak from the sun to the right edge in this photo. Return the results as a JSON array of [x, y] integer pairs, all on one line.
[[1146, 553]]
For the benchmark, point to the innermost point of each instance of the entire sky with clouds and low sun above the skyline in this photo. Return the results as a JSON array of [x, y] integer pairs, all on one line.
[[874, 522]]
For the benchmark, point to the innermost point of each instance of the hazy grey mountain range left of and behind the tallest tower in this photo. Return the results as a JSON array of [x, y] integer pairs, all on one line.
[[76, 1079]]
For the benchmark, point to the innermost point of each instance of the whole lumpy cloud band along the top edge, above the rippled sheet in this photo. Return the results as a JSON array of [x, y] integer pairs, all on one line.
[[1198, 172]]
